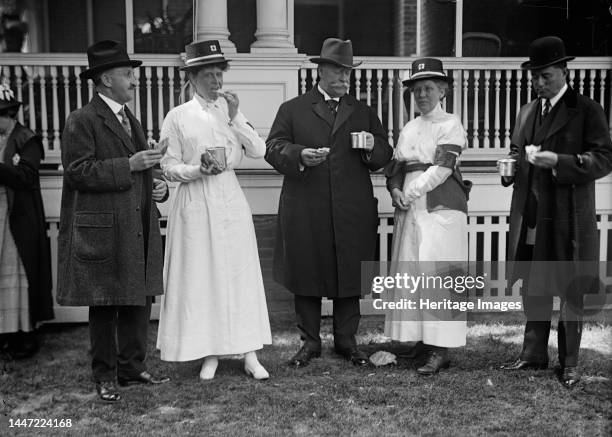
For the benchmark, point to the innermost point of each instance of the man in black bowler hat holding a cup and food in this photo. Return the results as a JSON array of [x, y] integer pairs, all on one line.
[[561, 144]]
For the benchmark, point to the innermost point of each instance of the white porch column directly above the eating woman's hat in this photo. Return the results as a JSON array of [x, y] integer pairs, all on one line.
[[210, 18]]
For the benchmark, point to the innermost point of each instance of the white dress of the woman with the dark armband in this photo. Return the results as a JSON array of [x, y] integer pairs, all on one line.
[[419, 235]]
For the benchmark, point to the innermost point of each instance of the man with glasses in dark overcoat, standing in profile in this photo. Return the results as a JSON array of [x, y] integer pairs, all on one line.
[[109, 234]]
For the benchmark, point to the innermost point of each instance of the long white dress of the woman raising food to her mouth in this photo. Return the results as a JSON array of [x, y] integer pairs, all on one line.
[[214, 301]]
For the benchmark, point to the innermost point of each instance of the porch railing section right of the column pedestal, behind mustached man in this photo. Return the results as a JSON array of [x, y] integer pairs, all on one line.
[[487, 93]]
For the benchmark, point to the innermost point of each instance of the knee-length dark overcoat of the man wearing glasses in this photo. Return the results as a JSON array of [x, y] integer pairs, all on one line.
[[104, 206]]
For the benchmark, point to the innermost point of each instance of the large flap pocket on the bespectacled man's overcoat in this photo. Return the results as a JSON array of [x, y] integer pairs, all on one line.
[[94, 238]]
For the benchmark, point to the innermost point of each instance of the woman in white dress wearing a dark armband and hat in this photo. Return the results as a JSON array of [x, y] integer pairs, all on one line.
[[430, 198]]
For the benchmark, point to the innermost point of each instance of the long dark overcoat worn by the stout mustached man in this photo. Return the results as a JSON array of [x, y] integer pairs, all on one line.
[[327, 216]]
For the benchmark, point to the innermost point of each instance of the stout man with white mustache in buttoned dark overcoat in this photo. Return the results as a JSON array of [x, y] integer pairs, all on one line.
[[327, 218]]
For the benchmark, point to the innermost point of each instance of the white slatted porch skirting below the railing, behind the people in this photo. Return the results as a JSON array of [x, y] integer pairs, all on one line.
[[487, 227]]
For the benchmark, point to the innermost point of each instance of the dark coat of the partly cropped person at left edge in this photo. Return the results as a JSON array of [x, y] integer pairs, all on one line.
[[27, 217]]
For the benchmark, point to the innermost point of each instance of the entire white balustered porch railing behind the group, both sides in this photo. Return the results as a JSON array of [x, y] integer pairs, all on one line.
[[486, 92]]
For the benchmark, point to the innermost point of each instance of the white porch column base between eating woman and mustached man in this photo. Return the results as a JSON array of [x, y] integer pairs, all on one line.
[[273, 27]]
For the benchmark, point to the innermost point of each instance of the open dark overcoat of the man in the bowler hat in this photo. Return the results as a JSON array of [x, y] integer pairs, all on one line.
[[566, 220]]
